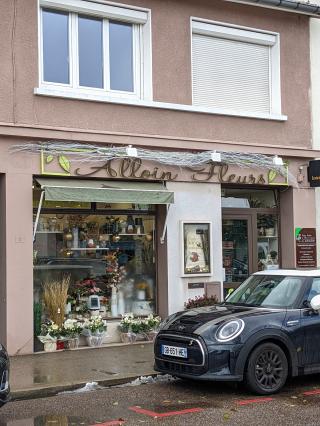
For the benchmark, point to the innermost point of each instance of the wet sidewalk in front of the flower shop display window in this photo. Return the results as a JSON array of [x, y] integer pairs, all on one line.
[[44, 374]]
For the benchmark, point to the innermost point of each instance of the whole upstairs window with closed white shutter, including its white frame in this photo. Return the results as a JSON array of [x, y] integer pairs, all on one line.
[[235, 69]]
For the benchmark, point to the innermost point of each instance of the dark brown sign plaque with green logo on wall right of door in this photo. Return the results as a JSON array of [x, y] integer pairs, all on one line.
[[306, 247]]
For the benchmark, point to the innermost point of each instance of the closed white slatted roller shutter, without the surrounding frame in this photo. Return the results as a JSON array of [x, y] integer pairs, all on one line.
[[231, 74]]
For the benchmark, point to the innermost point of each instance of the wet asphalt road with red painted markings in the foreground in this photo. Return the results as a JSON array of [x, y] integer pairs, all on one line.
[[175, 402]]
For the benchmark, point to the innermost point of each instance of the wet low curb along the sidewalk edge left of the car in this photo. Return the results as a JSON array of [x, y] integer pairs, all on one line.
[[53, 390]]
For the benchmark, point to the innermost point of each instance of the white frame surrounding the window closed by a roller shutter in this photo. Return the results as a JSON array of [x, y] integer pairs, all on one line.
[[249, 35]]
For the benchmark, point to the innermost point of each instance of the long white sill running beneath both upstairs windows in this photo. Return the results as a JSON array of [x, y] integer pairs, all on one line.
[[97, 97]]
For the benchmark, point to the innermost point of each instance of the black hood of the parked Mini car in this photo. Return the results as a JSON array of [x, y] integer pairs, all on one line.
[[198, 319]]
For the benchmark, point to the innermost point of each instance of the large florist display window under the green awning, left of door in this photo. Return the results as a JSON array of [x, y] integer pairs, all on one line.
[[107, 253]]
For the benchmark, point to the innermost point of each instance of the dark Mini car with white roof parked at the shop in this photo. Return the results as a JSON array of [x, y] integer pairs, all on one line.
[[266, 330]]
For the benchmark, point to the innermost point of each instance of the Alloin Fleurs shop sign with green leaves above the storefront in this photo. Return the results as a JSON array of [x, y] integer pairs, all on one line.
[[128, 168]]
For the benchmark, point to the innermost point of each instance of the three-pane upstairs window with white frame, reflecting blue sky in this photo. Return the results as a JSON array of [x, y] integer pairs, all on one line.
[[95, 48]]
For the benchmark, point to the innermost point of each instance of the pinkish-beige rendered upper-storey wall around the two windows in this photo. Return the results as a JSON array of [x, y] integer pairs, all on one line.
[[171, 77]]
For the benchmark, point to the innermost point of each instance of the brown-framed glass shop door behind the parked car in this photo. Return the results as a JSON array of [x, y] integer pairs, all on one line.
[[237, 250]]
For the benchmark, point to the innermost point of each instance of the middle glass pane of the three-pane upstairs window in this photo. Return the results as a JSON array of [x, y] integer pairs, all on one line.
[[90, 52]]
